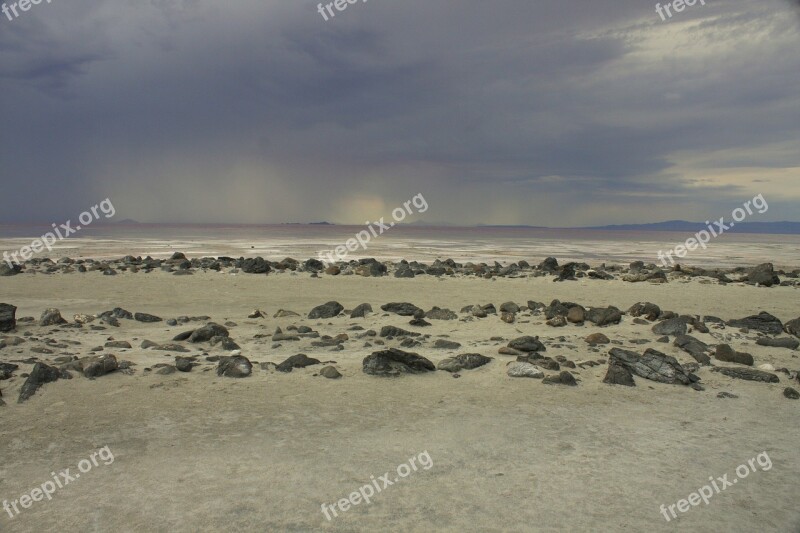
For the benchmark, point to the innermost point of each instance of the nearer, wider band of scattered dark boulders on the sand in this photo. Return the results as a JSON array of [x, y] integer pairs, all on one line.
[[623, 366]]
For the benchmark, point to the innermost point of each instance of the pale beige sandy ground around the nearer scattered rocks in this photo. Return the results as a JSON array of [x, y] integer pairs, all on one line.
[[197, 452]]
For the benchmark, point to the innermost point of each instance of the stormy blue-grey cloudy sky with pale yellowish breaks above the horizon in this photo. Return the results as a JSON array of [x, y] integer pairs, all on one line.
[[541, 112]]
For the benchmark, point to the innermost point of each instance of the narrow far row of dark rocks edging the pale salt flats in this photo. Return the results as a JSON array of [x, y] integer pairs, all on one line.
[[178, 264]]
